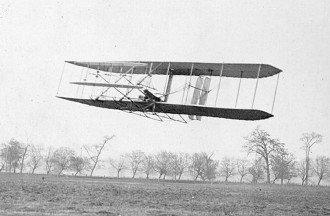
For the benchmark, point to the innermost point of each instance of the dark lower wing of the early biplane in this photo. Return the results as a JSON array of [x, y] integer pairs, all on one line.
[[160, 107]]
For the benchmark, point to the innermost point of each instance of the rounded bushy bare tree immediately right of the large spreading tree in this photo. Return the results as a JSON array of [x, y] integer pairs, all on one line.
[[282, 165]]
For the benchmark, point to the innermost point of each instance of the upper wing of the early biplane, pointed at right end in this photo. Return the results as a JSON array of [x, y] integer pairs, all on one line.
[[184, 68]]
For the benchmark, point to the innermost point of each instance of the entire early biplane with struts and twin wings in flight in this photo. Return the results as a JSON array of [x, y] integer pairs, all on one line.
[[156, 105]]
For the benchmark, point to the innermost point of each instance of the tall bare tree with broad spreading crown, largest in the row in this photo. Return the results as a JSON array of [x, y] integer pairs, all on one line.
[[260, 142]]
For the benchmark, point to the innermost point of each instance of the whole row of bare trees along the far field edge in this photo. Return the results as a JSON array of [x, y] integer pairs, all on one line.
[[268, 160]]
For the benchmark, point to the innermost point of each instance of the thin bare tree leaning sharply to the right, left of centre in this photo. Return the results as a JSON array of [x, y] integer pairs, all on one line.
[[95, 151]]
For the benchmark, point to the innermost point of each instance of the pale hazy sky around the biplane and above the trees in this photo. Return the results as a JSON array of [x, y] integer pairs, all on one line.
[[38, 36]]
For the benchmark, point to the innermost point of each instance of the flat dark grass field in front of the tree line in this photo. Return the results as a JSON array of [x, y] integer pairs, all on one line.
[[30, 195]]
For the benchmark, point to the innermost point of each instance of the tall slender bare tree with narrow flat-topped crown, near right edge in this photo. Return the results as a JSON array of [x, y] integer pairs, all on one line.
[[309, 140]]
